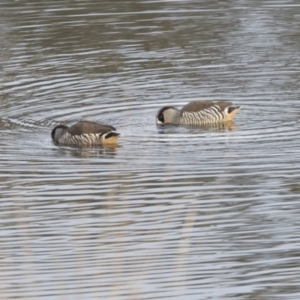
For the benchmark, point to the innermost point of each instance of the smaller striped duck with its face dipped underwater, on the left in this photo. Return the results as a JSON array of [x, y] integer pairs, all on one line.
[[85, 133]]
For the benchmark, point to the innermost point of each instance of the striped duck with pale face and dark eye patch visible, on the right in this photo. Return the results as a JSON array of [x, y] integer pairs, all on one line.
[[197, 113]]
